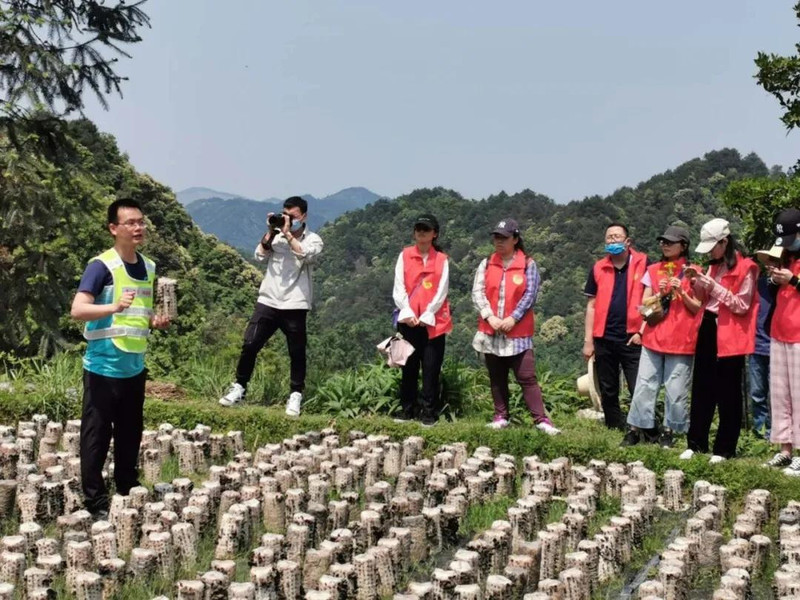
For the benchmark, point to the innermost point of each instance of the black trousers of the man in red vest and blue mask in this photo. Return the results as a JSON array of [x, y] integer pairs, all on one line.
[[609, 357]]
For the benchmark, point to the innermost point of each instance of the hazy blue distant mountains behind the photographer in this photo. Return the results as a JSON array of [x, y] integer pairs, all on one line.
[[240, 221]]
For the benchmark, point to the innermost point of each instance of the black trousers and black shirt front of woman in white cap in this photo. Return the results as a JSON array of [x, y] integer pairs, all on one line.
[[717, 383]]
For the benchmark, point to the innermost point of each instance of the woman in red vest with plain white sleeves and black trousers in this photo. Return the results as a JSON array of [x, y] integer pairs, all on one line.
[[421, 281]]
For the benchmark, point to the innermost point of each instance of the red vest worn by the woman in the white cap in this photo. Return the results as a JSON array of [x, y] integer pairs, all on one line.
[[736, 334]]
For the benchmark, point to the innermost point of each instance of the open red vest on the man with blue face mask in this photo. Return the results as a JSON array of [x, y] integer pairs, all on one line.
[[604, 276]]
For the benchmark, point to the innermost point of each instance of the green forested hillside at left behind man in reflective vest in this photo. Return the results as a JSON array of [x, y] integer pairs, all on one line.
[[53, 220]]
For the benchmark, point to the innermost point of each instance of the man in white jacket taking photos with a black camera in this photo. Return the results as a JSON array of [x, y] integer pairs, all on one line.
[[284, 299]]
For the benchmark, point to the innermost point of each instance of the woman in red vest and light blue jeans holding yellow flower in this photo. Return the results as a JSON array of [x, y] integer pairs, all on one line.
[[667, 346]]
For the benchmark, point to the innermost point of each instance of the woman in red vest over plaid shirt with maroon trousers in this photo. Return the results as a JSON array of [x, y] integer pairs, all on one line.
[[504, 292]]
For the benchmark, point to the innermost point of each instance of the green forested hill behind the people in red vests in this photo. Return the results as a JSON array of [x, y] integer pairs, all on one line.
[[354, 278]]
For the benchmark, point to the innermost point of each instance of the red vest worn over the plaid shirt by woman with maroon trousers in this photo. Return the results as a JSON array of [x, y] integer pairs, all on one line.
[[515, 283]]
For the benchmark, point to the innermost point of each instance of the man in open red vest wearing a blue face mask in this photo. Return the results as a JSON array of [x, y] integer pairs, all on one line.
[[613, 331]]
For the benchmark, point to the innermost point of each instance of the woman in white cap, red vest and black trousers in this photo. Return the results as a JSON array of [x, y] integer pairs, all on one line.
[[727, 334]]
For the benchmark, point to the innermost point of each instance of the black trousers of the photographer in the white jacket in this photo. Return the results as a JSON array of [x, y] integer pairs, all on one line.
[[263, 324]]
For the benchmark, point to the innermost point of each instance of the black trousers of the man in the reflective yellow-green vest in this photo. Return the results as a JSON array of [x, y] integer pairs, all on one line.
[[111, 407]]
